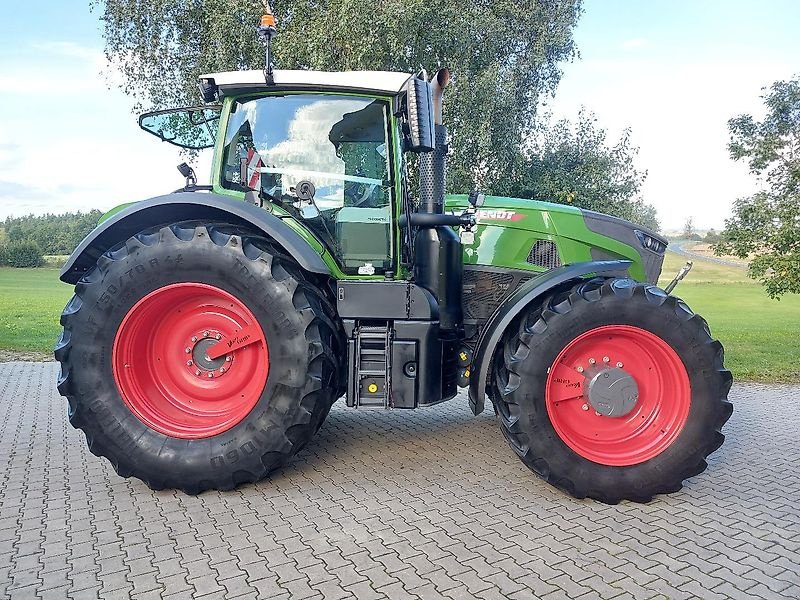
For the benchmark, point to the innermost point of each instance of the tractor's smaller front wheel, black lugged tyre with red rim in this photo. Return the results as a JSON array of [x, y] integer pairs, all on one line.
[[666, 424]]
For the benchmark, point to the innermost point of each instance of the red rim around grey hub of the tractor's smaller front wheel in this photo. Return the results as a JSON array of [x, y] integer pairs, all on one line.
[[658, 416]]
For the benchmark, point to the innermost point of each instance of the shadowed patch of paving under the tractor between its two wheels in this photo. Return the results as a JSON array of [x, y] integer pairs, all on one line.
[[414, 447]]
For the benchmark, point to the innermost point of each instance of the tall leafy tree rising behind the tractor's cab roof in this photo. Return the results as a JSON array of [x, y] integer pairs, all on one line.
[[504, 55]]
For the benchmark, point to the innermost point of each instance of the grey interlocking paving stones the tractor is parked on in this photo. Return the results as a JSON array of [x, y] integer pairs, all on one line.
[[419, 504]]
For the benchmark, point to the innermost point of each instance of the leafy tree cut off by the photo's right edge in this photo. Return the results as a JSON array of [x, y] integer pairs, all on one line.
[[766, 226]]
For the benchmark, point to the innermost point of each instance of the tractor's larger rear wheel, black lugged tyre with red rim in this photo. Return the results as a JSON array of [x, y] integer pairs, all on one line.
[[139, 381]]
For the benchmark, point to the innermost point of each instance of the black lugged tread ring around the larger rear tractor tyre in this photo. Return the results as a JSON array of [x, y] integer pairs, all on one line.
[[323, 334]]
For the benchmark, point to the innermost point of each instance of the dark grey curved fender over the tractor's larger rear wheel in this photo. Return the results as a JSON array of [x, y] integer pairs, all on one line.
[[183, 206]]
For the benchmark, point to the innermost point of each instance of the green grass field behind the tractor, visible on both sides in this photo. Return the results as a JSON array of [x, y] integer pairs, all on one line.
[[759, 334]]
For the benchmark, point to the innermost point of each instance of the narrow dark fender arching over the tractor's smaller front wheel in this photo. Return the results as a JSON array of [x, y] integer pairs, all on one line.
[[513, 305]]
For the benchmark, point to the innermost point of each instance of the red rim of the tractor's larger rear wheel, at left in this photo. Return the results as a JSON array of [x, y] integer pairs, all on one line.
[[162, 369]]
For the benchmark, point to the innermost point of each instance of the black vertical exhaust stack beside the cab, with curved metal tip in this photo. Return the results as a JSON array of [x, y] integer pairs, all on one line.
[[438, 256]]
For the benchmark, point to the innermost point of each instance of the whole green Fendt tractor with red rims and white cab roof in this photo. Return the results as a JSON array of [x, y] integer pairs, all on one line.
[[212, 328]]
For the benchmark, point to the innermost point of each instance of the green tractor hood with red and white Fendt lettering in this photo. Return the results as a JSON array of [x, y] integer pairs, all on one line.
[[538, 236]]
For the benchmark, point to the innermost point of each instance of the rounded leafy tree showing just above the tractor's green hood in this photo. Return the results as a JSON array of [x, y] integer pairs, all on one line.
[[575, 164]]
